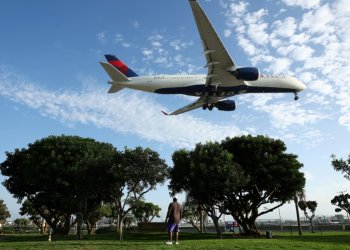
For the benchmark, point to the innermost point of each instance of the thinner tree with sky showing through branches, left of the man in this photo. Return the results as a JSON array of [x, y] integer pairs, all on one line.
[[142, 171]]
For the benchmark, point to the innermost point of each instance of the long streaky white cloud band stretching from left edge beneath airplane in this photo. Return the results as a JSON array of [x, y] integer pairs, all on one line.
[[136, 114]]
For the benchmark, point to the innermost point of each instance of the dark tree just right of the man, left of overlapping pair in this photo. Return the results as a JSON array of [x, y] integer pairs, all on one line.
[[208, 174]]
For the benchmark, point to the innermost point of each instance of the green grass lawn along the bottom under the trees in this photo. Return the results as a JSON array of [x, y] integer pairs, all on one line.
[[328, 240]]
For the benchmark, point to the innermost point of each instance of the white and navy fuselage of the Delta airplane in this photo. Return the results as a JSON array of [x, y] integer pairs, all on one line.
[[194, 85]]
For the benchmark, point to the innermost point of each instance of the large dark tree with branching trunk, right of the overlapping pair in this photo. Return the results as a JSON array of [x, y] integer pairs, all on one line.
[[272, 177]]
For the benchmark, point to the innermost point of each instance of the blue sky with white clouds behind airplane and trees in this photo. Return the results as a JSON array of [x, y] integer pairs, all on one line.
[[51, 82]]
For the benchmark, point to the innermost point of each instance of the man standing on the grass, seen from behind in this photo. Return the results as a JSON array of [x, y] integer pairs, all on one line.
[[172, 219]]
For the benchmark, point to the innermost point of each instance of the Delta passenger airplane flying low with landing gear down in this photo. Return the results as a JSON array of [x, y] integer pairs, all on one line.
[[223, 79]]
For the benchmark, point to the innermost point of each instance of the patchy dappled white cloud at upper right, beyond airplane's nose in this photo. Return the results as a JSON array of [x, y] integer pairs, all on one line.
[[313, 47]]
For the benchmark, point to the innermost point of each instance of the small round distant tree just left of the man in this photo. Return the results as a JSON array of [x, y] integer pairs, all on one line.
[[146, 211]]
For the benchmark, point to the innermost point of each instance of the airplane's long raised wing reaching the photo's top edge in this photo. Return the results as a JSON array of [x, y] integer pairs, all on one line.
[[218, 59]]
